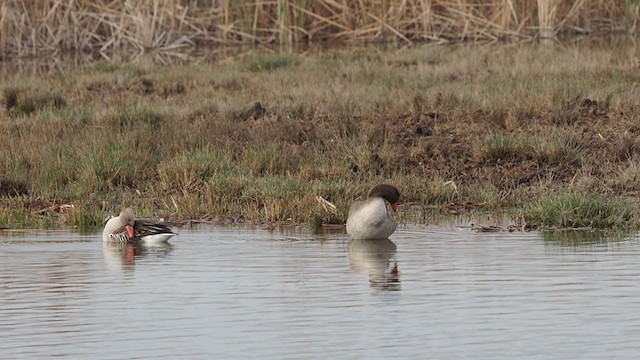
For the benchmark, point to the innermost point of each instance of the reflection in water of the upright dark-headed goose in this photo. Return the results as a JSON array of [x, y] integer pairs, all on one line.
[[373, 257]]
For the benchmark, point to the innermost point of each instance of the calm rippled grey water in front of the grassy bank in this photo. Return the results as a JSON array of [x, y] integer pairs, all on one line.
[[444, 293]]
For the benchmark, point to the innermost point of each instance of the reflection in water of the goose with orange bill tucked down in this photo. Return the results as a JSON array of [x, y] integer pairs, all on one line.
[[121, 256]]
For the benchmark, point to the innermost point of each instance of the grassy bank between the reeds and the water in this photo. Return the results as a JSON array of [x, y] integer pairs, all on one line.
[[454, 128]]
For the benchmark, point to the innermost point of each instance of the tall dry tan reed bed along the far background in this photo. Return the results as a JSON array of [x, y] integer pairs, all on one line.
[[31, 27]]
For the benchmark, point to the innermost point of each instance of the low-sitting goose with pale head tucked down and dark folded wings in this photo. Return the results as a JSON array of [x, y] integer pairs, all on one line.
[[125, 228]]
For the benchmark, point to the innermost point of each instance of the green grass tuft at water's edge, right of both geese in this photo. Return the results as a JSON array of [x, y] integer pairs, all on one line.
[[581, 210]]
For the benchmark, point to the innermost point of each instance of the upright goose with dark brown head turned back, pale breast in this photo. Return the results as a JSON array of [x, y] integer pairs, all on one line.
[[370, 219]]
